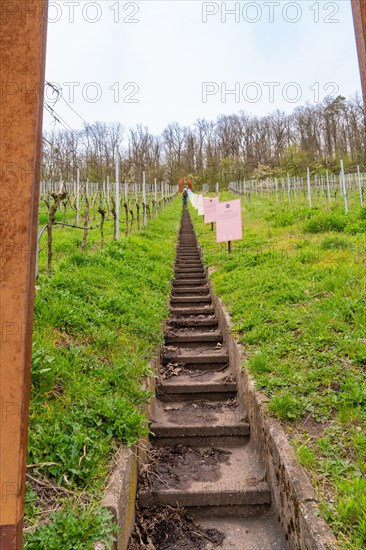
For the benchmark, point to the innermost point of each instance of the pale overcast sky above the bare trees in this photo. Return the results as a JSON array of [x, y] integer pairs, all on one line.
[[154, 62]]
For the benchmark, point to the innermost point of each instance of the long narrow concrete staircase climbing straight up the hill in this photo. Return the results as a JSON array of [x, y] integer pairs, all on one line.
[[204, 485]]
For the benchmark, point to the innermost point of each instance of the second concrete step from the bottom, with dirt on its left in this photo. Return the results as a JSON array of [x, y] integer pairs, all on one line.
[[206, 477]]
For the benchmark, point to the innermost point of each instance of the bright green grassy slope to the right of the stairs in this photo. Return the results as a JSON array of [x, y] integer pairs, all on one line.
[[295, 289]]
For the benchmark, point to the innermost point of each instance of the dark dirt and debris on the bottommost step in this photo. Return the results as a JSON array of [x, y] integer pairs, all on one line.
[[169, 528]]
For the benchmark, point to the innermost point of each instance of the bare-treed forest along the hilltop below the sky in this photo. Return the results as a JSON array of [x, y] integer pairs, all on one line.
[[229, 149]]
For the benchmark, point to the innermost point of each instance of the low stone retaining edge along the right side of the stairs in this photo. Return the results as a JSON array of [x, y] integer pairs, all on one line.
[[294, 499]]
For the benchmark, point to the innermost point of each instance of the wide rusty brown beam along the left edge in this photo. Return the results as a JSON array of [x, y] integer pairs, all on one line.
[[22, 55]]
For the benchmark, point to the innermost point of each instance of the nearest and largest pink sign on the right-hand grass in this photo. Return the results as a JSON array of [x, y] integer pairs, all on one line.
[[228, 221]]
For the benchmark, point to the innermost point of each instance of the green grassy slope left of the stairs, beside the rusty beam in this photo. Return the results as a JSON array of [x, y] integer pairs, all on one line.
[[97, 324]]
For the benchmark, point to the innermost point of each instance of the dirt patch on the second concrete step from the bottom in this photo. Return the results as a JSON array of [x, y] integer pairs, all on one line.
[[177, 467]]
